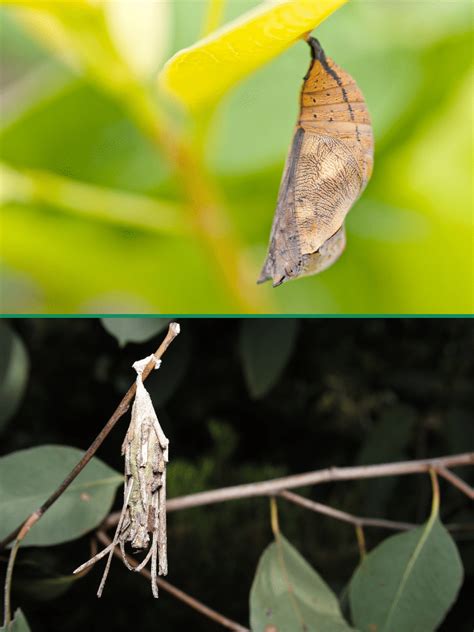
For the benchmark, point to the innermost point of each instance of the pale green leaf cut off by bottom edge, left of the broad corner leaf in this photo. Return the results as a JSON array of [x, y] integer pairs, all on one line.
[[287, 594]]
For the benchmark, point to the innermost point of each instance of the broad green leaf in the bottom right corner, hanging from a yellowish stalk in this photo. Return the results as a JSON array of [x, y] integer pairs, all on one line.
[[408, 582]]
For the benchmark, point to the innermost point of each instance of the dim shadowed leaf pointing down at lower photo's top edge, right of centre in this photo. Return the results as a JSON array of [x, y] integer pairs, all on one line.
[[265, 347]]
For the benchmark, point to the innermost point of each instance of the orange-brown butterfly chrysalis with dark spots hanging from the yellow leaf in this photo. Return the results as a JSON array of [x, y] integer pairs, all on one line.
[[328, 166]]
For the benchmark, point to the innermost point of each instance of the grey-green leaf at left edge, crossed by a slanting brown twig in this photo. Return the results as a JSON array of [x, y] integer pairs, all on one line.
[[28, 477]]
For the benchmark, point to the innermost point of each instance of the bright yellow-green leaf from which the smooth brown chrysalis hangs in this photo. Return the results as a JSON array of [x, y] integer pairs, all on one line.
[[201, 74]]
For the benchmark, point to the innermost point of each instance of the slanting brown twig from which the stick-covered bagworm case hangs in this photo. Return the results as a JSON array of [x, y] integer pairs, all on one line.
[[121, 409]]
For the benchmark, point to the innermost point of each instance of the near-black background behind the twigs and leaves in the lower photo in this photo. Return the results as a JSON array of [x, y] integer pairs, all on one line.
[[353, 391]]
